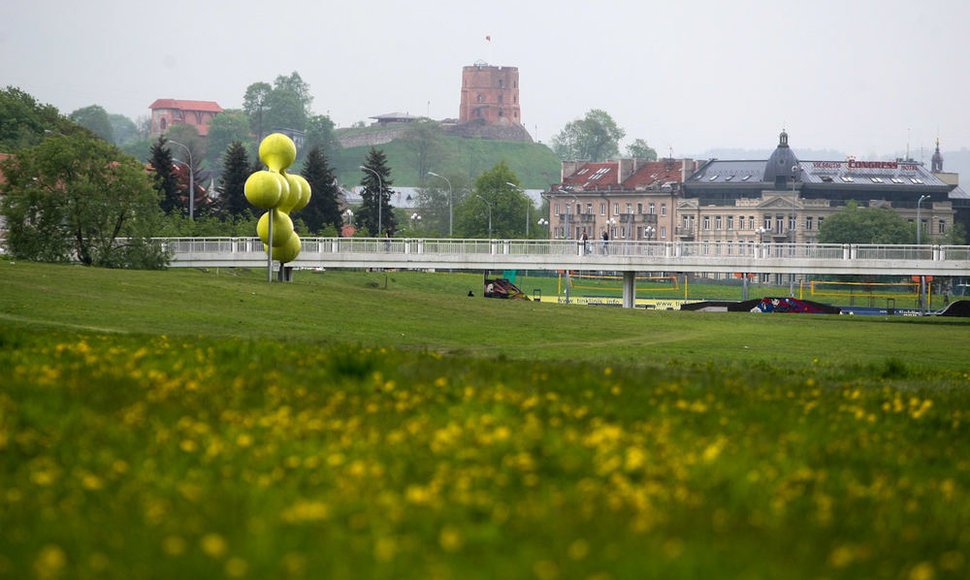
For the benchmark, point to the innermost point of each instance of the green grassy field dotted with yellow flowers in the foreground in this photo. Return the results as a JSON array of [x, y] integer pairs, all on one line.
[[385, 425]]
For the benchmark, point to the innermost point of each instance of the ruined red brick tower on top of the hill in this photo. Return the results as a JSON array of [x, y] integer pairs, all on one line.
[[490, 95]]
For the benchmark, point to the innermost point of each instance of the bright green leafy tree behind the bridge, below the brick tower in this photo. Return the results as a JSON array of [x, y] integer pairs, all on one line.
[[494, 200]]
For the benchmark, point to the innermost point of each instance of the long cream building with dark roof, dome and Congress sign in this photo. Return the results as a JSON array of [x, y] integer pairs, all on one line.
[[786, 199]]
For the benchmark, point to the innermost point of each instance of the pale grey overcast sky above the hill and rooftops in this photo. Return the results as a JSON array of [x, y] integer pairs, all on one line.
[[862, 77]]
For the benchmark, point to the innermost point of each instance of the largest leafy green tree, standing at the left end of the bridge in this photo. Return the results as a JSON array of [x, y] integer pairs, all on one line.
[[75, 197]]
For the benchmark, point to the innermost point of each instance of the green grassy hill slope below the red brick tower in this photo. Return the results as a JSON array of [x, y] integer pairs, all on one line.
[[529, 161]]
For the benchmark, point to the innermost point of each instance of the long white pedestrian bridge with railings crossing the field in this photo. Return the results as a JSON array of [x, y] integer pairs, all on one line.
[[618, 256]]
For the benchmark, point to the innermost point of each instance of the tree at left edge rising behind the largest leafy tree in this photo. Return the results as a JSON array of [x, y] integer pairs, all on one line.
[[24, 122]]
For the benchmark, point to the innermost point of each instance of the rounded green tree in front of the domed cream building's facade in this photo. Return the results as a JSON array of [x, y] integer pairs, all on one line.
[[873, 225]]
